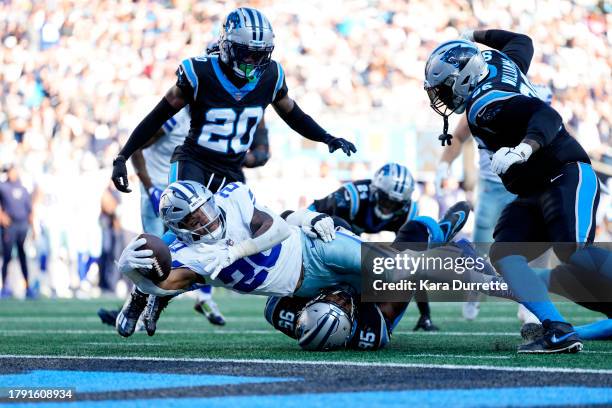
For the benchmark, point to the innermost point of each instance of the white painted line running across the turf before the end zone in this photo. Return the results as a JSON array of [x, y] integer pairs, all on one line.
[[319, 362]]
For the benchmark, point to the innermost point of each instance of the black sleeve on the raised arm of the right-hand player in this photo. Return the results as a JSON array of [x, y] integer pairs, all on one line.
[[518, 47]]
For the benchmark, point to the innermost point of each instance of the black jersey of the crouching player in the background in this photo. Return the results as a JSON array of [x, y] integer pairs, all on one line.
[[354, 203]]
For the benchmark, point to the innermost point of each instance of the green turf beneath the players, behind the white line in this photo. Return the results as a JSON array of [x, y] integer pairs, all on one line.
[[71, 328]]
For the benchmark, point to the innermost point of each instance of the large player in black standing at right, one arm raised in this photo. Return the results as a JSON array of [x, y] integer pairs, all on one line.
[[537, 159]]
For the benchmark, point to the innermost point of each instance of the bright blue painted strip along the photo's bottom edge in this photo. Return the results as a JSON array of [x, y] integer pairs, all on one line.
[[458, 398]]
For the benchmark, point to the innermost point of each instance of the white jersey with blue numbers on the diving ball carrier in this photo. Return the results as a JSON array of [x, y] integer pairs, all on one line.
[[274, 272]]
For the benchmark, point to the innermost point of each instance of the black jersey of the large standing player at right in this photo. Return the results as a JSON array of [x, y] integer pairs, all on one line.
[[499, 111]]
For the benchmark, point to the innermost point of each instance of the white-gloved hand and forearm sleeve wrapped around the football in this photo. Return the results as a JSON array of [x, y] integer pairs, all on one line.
[[132, 260]]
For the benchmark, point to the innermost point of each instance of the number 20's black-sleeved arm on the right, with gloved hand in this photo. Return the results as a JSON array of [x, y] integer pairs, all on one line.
[[302, 123]]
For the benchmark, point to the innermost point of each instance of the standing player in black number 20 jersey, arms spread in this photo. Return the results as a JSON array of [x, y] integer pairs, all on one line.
[[226, 95]]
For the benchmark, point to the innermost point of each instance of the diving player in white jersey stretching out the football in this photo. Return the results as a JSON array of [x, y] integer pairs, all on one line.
[[228, 239]]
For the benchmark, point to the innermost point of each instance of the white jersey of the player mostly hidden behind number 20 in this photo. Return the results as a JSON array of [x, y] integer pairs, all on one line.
[[157, 156]]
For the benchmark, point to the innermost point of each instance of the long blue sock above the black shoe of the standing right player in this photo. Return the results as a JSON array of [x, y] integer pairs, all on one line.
[[528, 288]]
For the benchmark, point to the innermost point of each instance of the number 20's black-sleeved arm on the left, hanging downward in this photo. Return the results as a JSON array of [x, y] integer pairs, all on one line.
[[170, 104]]
